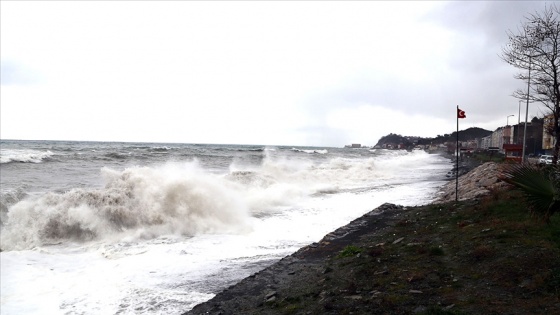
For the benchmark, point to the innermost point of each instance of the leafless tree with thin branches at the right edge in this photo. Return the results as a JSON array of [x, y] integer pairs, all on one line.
[[534, 49]]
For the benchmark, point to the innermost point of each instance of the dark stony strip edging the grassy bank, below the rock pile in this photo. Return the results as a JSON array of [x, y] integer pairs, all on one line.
[[264, 286]]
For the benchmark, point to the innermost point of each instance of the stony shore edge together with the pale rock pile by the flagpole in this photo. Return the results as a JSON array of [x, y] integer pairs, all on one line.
[[263, 287]]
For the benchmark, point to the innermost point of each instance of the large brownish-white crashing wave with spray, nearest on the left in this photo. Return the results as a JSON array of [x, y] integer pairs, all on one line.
[[169, 199]]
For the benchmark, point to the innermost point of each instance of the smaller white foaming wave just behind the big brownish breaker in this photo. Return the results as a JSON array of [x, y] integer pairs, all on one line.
[[280, 181]]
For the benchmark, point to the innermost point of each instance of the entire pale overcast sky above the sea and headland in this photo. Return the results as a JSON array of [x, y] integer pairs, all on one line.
[[318, 73]]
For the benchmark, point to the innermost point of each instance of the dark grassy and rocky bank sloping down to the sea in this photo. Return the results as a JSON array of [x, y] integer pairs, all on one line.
[[445, 258]]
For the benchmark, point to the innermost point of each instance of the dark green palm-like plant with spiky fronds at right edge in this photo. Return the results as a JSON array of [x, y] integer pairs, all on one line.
[[540, 185]]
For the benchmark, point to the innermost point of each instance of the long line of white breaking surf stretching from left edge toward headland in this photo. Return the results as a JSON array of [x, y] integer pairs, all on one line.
[[186, 199]]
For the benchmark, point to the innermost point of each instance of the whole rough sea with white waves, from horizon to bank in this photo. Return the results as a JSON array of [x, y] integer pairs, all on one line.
[[151, 228]]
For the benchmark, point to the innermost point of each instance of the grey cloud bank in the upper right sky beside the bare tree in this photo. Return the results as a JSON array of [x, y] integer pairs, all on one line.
[[478, 79]]
